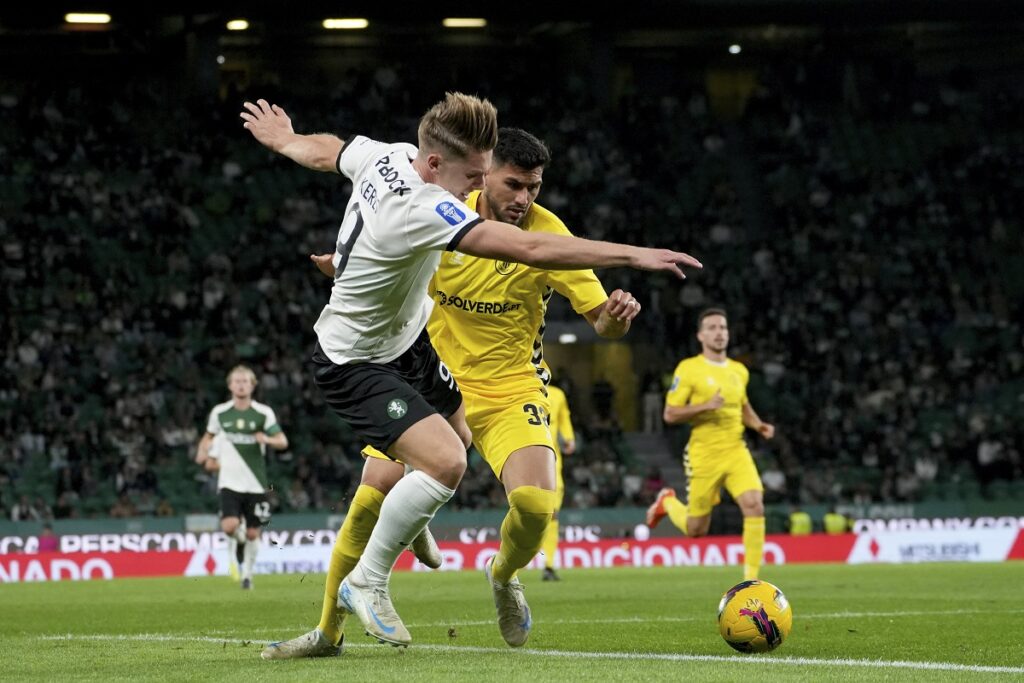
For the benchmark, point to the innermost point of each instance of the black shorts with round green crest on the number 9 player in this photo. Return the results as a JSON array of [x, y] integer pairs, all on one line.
[[381, 401]]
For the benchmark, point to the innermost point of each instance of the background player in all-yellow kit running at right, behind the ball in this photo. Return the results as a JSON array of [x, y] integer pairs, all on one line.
[[709, 391]]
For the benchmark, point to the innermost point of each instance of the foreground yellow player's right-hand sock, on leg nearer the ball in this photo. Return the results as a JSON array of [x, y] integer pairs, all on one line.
[[530, 511]]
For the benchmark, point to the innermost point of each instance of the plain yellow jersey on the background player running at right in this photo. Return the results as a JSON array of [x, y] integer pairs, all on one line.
[[696, 381]]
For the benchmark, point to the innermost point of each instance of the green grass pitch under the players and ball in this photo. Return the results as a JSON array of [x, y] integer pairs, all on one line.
[[926, 622]]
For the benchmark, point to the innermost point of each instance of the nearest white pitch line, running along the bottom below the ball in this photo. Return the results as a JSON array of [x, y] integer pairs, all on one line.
[[571, 655]]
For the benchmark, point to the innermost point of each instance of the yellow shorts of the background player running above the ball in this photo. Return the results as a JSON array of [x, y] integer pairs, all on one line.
[[708, 473]]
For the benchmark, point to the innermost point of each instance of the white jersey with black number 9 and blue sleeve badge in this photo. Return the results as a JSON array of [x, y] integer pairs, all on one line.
[[390, 245]]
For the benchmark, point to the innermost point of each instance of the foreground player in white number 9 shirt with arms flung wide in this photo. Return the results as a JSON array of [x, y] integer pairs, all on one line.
[[374, 362]]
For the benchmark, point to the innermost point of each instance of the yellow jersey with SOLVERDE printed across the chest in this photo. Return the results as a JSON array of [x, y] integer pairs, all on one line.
[[488, 322]]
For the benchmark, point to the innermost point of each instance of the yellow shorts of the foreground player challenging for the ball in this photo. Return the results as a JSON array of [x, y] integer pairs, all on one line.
[[501, 425]]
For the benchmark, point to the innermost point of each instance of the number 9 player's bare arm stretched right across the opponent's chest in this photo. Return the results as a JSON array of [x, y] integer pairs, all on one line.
[[556, 252]]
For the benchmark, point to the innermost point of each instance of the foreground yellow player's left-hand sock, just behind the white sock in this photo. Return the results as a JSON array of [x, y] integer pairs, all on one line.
[[353, 538]]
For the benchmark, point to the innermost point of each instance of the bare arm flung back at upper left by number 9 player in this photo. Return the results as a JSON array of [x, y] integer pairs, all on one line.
[[273, 129]]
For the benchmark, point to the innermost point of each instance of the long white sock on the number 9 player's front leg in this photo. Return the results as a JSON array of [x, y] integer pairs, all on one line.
[[406, 511]]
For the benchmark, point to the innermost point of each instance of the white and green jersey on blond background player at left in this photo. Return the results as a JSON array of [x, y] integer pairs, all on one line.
[[243, 464]]
